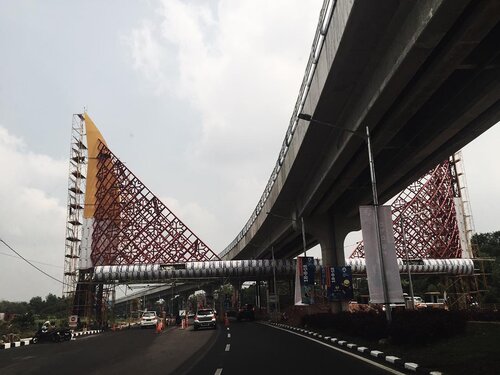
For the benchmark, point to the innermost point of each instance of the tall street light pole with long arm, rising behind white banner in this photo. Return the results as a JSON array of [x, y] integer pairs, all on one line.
[[366, 137]]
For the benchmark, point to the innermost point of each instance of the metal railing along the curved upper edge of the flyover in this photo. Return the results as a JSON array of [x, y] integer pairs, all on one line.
[[325, 17]]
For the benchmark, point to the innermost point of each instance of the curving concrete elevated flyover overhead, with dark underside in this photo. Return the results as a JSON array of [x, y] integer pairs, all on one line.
[[423, 76]]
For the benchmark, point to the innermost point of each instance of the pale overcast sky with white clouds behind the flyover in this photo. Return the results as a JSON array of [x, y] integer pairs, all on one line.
[[194, 96]]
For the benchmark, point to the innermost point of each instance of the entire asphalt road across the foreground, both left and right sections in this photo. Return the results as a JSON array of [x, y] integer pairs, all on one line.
[[241, 348]]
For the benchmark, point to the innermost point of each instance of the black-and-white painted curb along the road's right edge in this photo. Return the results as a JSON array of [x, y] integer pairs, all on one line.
[[393, 360]]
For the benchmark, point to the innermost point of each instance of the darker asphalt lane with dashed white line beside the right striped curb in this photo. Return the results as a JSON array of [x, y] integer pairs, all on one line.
[[253, 348]]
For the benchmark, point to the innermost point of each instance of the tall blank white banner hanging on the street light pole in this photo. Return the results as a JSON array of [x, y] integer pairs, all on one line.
[[374, 270]]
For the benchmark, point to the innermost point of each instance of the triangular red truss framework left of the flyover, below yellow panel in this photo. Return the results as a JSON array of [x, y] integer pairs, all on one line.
[[132, 226]]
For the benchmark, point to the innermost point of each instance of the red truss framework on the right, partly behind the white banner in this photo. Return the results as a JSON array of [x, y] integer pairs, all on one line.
[[427, 208]]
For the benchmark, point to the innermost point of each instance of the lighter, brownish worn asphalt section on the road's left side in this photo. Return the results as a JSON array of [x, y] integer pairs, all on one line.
[[133, 351]]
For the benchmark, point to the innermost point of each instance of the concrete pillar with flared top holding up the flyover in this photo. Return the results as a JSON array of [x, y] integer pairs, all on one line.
[[330, 231]]
